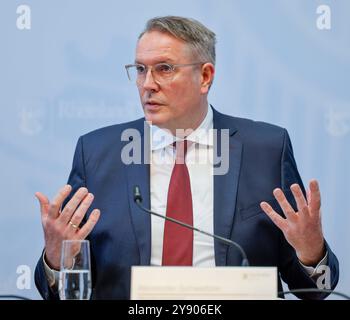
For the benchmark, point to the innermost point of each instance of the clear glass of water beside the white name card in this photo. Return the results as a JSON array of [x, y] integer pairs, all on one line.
[[75, 272]]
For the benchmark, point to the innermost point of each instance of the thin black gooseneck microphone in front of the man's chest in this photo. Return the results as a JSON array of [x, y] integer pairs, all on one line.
[[138, 201]]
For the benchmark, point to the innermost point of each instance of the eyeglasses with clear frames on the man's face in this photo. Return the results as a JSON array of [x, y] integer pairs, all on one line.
[[161, 72]]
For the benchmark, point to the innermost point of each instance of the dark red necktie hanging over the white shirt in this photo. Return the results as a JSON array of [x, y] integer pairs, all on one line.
[[178, 240]]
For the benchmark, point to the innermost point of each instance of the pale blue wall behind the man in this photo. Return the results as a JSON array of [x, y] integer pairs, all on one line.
[[65, 77]]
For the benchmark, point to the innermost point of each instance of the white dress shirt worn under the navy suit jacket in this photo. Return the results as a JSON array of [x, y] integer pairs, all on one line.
[[199, 162]]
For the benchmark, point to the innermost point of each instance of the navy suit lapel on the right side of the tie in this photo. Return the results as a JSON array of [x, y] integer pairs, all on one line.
[[225, 186]]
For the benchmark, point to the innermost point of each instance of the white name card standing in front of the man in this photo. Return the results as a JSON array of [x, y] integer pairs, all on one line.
[[189, 283]]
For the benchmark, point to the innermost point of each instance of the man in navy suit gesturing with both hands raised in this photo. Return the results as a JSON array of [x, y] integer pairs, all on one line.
[[257, 199]]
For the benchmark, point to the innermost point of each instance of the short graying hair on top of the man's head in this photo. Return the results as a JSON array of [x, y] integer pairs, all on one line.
[[195, 34]]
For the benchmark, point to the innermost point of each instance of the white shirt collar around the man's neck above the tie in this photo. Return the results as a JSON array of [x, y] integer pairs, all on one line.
[[162, 138]]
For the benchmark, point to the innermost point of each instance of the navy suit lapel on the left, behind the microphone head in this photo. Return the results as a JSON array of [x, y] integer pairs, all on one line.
[[139, 175]]
